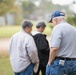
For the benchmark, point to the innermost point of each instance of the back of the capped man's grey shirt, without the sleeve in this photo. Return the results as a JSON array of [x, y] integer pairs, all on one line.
[[67, 34]]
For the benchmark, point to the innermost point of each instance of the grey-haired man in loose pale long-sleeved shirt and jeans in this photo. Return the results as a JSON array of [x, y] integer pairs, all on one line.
[[23, 51]]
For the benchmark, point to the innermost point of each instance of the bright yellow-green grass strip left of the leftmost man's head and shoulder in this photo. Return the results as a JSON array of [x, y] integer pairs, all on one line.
[[8, 31]]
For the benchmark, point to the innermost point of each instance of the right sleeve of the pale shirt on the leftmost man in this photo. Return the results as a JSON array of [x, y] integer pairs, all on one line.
[[32, 50]]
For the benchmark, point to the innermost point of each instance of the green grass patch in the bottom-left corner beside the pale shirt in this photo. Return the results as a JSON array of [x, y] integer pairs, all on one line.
[[5, 67]]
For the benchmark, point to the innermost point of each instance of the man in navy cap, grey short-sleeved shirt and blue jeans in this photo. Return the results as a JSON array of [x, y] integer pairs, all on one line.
[[62, 60]]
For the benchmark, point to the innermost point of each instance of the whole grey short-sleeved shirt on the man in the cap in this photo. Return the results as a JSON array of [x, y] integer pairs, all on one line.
[[64, 37]]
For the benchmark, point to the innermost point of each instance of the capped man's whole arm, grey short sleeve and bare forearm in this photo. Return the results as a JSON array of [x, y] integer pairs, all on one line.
[[55, 43]]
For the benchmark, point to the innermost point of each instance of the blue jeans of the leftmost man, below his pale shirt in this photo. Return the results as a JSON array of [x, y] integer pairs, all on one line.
[[27, 71]]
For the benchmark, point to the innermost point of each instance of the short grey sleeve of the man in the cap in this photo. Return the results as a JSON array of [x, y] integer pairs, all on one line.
[[56, 37]]
